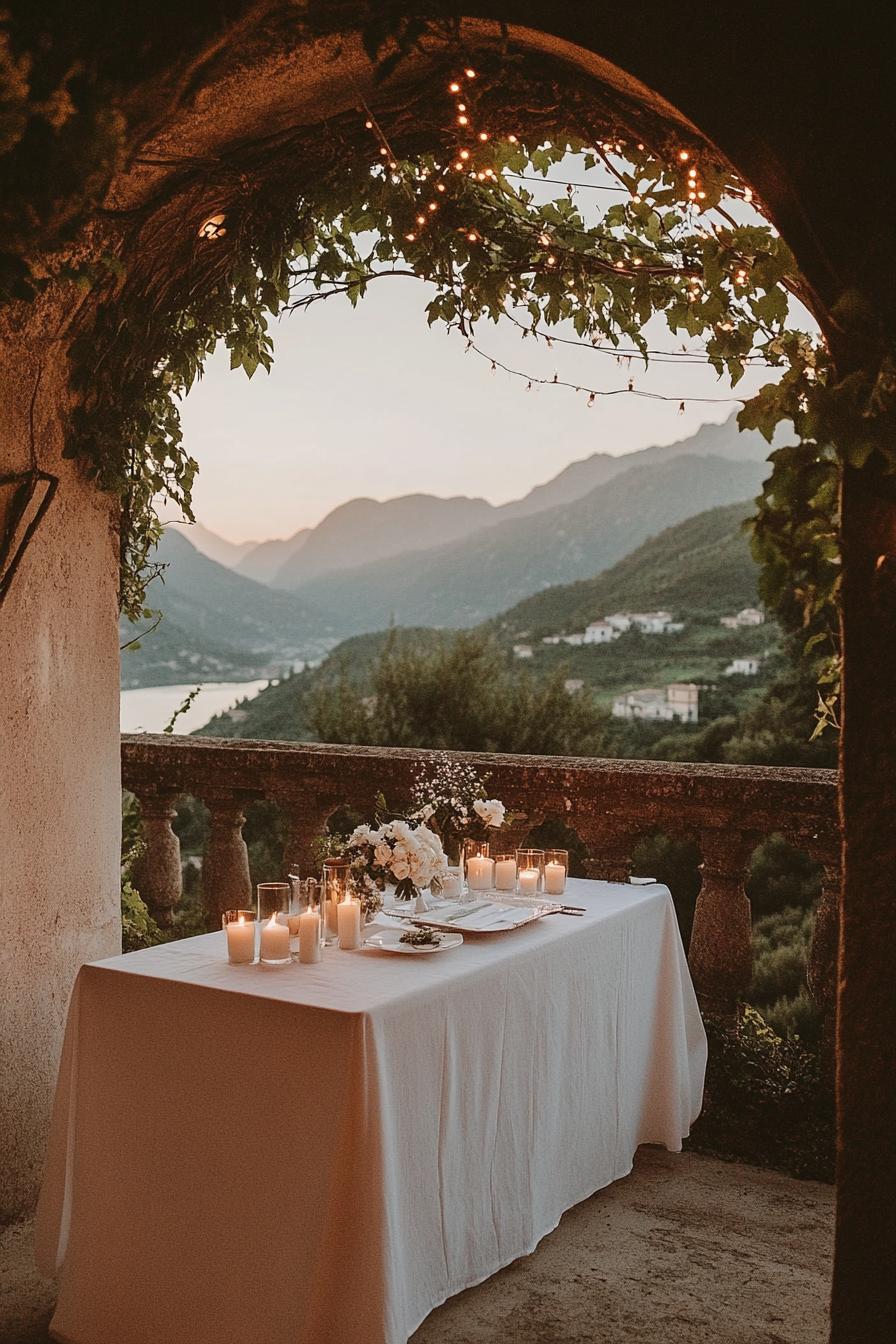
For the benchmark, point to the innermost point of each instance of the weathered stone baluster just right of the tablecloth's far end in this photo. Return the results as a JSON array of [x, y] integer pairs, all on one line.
[[721, 952]]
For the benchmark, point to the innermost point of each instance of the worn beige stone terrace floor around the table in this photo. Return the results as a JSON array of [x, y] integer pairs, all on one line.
[[686, 1251]]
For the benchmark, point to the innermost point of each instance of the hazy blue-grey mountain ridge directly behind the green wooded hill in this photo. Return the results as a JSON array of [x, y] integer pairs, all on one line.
[[471, 581]]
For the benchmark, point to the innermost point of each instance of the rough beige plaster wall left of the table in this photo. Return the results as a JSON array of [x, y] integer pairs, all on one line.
[[60, 803]]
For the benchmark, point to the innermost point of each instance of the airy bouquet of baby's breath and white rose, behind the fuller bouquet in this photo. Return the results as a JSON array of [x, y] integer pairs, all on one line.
[[452, 798]]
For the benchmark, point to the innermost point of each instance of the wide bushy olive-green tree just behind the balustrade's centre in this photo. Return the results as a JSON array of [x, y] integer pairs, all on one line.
[[457, 696]]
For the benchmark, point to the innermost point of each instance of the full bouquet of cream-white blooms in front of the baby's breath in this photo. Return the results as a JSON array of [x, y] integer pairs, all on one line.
[[405, 853]]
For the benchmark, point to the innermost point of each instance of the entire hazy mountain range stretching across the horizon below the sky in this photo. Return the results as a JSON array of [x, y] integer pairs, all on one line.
[[422, 561]]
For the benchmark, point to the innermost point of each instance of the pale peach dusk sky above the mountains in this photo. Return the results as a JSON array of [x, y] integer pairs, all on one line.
[[370, 401]]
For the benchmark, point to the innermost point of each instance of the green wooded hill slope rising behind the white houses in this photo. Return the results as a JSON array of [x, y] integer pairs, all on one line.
[[701, 569]]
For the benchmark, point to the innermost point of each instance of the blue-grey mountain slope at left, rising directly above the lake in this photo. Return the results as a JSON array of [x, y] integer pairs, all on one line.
[[217, 626]]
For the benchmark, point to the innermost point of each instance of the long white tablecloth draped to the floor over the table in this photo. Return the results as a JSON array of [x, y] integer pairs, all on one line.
[[322, 1155]]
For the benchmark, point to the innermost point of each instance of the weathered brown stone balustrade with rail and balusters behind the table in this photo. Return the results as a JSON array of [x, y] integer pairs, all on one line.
[[611, 804]]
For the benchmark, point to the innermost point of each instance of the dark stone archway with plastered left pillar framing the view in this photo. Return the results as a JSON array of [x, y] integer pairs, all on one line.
[[202, 99]]
